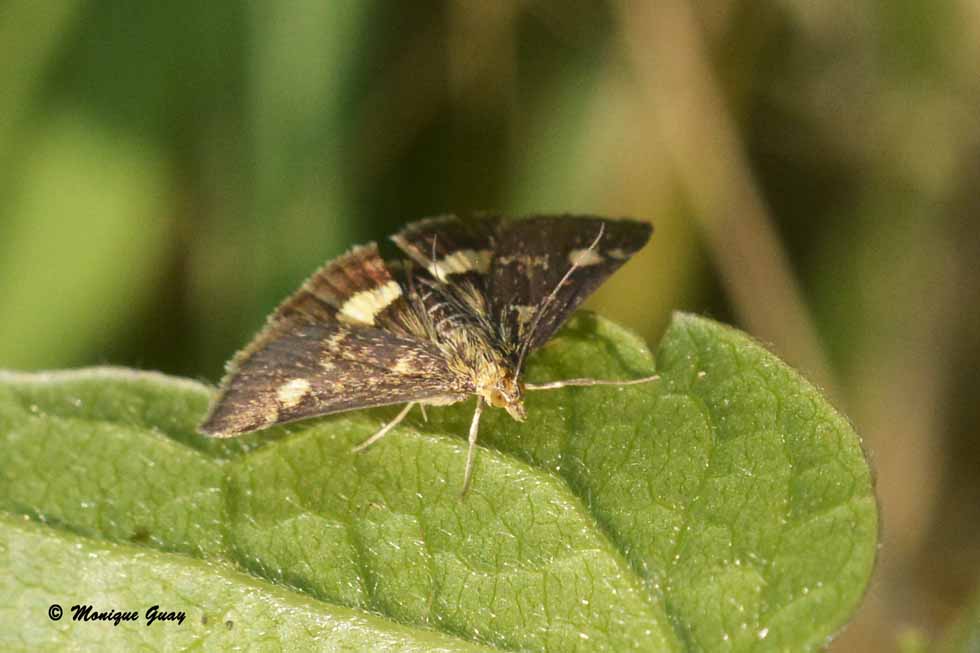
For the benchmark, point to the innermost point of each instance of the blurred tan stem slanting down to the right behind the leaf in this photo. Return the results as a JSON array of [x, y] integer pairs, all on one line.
[[667, 50]]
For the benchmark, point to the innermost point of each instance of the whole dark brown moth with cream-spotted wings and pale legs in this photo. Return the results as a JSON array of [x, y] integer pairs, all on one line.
[[457, 316]]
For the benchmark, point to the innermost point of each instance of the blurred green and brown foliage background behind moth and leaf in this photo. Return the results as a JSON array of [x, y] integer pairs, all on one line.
[[170, 170]]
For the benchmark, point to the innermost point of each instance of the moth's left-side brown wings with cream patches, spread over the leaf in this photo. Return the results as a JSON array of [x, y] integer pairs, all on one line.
[[345, 340]]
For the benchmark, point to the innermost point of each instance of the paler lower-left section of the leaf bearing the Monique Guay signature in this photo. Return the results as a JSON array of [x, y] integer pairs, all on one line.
[[223, 608]]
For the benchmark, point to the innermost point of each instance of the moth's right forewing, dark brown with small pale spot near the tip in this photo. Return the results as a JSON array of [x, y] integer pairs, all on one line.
[[533, 257]]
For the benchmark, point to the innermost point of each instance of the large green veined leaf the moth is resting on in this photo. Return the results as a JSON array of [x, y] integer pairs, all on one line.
[[725, 507]]
